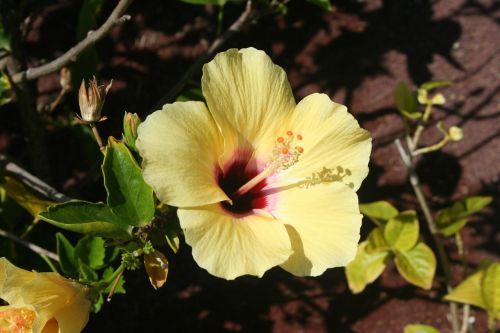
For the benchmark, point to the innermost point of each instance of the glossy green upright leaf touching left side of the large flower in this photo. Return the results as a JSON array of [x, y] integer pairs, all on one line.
[[129, 197]]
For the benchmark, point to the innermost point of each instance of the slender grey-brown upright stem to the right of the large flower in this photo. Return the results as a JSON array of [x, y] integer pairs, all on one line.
[[436, 236]]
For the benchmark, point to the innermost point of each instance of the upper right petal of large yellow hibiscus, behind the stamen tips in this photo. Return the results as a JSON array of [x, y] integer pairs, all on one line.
[[332, 138]]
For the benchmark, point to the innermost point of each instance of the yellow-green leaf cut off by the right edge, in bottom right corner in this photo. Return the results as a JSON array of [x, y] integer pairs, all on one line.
[[491, 290]]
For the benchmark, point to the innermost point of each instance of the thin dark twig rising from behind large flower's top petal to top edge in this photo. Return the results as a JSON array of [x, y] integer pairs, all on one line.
[[243, 20]]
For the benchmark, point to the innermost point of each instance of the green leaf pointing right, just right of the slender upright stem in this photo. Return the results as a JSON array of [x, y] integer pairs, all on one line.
[[450, 220]]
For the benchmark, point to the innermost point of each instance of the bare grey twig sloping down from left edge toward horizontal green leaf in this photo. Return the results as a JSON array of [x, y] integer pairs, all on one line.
[[31, 181]]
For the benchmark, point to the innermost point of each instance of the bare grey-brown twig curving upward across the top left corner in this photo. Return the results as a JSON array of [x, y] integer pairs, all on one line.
[[71, 55]]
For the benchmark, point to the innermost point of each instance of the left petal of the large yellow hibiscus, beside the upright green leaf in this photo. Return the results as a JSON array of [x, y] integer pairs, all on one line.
[[180, 146]]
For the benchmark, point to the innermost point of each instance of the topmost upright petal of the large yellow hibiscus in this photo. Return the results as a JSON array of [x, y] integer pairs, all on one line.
[[249, 97]]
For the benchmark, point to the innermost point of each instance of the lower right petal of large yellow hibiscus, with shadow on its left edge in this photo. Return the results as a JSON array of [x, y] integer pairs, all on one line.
[[323, 222]]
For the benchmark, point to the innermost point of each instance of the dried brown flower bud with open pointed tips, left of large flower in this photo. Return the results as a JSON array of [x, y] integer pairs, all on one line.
[[92, 100]]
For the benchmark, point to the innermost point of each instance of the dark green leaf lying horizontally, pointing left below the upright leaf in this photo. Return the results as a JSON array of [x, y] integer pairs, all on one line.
[[94, 219]]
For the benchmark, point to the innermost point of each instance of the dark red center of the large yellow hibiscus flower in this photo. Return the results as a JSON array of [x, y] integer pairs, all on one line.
[[236, 173]]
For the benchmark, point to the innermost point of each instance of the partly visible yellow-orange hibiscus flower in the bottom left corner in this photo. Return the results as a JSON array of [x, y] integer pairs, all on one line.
[[40, 302]]
